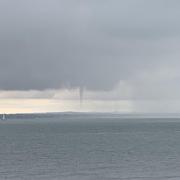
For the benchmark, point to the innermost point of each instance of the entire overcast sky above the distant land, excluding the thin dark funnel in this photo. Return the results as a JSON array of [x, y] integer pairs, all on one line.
[[120, 50]]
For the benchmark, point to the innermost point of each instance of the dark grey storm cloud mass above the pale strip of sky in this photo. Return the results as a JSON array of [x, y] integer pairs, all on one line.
[[92, 44]]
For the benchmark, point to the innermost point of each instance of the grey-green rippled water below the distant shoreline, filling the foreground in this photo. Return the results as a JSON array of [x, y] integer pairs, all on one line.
[[96, 149]]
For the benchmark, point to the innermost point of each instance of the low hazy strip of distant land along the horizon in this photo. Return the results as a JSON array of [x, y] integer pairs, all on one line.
[[92, 115]]
